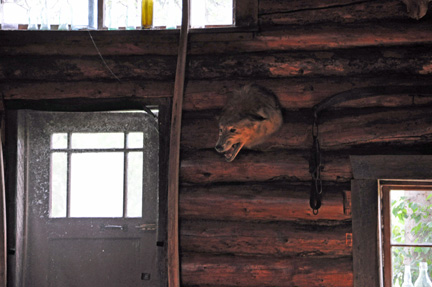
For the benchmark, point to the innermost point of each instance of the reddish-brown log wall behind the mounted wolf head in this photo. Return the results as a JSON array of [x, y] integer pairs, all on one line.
[[248, 223]]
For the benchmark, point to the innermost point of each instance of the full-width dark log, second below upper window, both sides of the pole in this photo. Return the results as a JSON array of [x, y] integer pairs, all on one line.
[[402, 61]]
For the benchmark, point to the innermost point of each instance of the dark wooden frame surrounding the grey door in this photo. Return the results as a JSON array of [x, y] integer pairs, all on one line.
[[15, 187]]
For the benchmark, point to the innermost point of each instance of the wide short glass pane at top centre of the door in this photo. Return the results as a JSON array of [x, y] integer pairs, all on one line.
[[97, 140]]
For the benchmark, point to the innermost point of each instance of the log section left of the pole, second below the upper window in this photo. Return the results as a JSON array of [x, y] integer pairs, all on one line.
[[46, 68]]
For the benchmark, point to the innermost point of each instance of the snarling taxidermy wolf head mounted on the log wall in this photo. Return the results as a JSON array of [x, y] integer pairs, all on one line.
[[248, 119]]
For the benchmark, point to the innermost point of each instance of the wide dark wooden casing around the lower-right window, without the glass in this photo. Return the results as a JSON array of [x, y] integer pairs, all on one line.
[[369, 172]]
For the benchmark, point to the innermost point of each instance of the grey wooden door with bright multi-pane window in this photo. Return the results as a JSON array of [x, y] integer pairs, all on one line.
[[92, 200]]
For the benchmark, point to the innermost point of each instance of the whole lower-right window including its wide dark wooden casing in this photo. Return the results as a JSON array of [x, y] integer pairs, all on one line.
[[378, 258]]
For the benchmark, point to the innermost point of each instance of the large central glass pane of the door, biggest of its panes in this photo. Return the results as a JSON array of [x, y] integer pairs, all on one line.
[[96, 184]]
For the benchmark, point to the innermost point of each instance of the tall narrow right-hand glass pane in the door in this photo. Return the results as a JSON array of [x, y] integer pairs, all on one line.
[[134, 184]]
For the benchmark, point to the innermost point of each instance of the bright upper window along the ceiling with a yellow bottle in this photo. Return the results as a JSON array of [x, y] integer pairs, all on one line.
[[112, 14]]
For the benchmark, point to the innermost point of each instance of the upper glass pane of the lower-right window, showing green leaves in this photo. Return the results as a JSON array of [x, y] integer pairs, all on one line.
[[411, 211]]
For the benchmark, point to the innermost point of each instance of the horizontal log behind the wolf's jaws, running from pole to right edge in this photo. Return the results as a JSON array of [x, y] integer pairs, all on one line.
[[347, 129]]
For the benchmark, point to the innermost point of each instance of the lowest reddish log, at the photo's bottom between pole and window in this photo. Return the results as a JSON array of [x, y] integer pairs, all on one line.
[[201, 270]]
